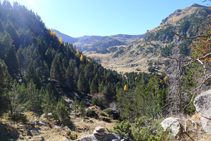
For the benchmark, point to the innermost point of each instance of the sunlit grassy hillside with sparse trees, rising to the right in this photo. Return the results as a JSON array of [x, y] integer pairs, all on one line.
[[156, 42]]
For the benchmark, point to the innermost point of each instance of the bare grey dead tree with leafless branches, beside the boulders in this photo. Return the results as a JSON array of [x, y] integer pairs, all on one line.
[[178, 63]]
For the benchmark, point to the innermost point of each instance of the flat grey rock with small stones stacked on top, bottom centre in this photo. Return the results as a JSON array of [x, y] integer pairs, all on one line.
[[100, 135]]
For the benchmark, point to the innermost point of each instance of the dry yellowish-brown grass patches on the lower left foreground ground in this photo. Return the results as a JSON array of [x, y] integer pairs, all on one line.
[[51, 134]]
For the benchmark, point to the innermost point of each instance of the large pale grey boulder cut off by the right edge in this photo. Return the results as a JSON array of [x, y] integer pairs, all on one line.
[[203, 106]]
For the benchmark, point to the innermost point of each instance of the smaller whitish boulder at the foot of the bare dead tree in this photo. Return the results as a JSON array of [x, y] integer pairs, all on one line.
[[175, 127]]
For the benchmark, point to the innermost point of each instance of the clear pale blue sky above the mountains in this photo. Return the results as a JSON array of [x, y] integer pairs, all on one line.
[[78, 18]]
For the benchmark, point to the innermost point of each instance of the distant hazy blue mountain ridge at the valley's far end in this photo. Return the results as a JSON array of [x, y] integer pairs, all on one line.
[[99, 43]]
